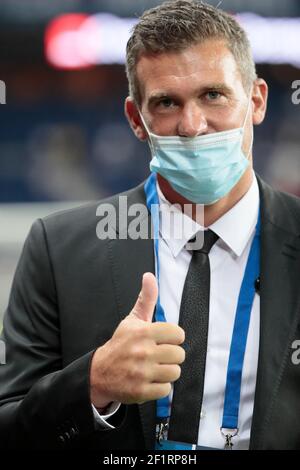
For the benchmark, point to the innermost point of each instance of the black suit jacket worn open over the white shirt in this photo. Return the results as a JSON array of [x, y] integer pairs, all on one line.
[[70, 292]]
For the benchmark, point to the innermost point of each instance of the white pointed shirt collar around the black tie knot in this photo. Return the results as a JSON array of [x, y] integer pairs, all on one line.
[[234, 228]]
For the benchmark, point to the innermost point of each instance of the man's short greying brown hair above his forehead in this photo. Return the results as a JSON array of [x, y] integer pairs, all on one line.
[[175, 25]]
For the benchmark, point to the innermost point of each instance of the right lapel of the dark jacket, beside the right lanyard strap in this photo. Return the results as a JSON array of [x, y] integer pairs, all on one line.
[[280, 304]]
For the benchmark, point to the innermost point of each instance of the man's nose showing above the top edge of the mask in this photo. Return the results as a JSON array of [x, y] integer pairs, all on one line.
[[192, 122]]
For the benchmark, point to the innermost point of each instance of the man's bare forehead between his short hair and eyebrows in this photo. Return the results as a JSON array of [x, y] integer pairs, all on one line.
[[192, 68]]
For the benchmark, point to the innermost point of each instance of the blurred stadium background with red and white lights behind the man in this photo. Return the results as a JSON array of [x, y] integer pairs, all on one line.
[[63, 136]]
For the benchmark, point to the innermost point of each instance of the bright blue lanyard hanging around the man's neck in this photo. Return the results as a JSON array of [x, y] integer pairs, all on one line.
[[242, 317]]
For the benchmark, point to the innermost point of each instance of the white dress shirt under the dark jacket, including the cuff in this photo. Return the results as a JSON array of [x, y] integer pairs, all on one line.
[[228, 258]]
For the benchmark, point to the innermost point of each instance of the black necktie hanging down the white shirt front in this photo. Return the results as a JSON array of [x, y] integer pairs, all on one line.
[[193, 318]]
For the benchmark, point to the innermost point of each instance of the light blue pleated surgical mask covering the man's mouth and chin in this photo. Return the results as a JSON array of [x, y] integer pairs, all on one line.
[[202, 169]]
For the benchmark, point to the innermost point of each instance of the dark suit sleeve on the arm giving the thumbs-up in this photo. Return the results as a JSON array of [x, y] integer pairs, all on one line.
[[42, 404]]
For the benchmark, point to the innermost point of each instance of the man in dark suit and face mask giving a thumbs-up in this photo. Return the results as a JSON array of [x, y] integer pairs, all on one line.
[[85, 364]]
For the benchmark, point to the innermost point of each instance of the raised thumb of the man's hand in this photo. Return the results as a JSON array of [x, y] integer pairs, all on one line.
[[147, 298]]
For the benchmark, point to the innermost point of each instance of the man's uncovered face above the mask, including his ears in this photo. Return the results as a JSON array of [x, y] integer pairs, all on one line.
[[194, 92]]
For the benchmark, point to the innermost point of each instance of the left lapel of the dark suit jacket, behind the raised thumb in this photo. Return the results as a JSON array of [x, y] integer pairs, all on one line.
[[130, 259]]
